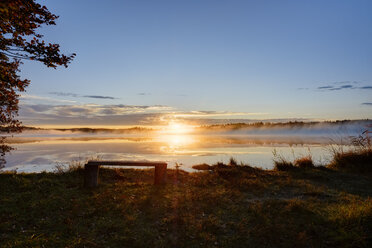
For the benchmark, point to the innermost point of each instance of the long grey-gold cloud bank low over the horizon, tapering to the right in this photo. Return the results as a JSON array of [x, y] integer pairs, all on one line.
[[117, 114]]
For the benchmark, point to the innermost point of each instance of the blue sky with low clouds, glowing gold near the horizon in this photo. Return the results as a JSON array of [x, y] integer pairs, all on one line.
[[150, 62]]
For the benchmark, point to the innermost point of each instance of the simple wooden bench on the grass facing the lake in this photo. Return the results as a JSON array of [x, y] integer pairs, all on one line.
[[91, 170]]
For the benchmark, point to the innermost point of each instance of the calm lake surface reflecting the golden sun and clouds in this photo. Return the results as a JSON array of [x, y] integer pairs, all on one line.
[[37, 151]]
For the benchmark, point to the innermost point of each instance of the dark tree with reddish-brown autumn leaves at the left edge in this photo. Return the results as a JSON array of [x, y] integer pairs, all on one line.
[[19, 40]]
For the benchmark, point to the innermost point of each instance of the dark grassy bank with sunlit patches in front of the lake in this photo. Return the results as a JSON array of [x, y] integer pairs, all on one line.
[[229, 206]]
